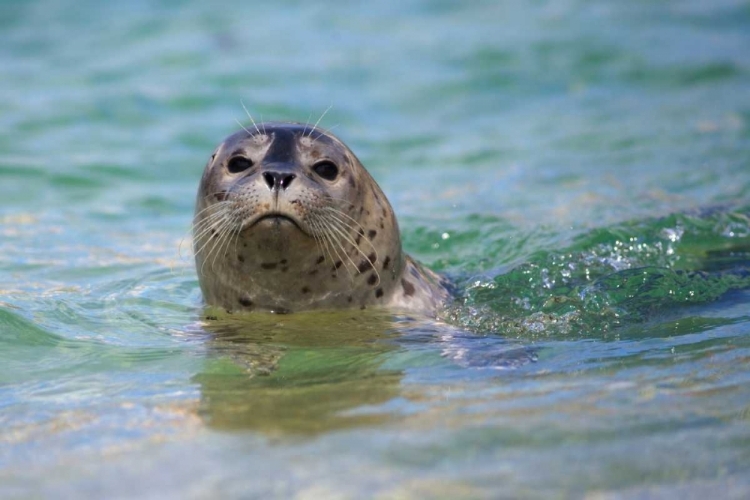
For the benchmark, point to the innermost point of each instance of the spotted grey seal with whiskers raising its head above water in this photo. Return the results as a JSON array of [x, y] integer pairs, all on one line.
[[287, 219]]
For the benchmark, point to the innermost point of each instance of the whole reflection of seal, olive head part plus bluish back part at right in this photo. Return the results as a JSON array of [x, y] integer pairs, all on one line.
[[314, 372]]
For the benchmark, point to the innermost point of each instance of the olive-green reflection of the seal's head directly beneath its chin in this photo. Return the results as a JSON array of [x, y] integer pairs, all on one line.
[[298, 374]]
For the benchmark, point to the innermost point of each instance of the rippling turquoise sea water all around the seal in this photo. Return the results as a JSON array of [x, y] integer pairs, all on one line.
[[580, 170]]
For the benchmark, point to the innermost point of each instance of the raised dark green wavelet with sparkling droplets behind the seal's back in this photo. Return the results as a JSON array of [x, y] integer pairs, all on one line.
[[612, 278]]
